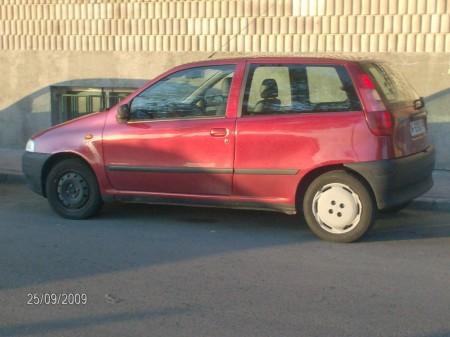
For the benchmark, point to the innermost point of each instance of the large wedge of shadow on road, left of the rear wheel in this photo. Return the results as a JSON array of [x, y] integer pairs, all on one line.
[[37, 246]]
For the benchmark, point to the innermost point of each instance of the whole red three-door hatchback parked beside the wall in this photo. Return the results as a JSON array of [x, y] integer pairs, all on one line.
[[335, 139]]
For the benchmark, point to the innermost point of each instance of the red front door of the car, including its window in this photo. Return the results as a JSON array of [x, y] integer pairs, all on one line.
[[179, 139]]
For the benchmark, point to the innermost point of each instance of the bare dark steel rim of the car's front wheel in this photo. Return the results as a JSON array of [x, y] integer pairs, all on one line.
[[73, 190]]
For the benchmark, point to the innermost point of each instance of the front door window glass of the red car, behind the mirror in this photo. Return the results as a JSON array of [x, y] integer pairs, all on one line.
[[194, 92]]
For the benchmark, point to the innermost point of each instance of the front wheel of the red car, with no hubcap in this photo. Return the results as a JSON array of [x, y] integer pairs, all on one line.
[[79, 201]]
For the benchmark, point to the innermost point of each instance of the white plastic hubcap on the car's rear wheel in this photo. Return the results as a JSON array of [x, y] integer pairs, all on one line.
[[337, 208]]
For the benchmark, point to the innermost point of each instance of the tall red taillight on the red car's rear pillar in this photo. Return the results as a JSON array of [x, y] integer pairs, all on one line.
[[378, 117]]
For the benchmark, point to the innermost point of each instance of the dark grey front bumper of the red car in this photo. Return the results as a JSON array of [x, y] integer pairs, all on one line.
[[32, 165]]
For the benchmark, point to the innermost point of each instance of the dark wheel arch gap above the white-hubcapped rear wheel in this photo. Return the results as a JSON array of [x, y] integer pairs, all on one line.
[[309, 177]]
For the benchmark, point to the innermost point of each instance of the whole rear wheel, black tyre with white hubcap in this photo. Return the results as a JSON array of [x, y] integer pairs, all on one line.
[[361, 206]]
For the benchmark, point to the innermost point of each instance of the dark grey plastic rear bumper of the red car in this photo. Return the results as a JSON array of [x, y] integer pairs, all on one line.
[[397, 181]]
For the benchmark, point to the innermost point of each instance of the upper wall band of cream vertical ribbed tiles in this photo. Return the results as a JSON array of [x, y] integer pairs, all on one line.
[[226, 26]]
